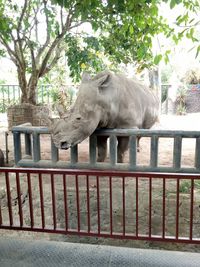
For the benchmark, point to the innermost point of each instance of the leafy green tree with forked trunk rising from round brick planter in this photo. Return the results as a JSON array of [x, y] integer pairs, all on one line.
[[34, 34]]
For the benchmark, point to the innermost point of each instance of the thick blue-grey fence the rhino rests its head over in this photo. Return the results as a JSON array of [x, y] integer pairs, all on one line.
[[31, 152]]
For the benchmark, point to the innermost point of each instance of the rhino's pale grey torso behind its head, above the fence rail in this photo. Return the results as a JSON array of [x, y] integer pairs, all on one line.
[[131, 104]]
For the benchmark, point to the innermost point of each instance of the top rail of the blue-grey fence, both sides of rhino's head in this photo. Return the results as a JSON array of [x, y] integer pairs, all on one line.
[[28, 128]]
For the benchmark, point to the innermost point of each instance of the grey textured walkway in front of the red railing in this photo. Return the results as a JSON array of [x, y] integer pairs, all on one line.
[[20, 253]]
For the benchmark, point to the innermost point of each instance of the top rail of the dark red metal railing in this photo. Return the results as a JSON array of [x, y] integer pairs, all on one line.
[[110, 173]]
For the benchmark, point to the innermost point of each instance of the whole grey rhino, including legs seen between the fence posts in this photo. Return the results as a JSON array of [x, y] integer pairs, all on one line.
[[106, 101]]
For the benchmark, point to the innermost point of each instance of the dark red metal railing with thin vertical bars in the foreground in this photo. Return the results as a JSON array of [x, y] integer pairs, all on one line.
[[124, 205]]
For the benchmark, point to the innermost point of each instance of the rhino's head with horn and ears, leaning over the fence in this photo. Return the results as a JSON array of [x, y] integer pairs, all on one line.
[[84, 117]]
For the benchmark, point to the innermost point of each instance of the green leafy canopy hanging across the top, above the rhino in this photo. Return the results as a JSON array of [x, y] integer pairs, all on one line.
[[122, 31]]
